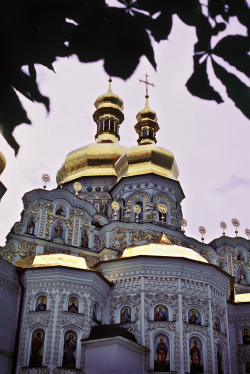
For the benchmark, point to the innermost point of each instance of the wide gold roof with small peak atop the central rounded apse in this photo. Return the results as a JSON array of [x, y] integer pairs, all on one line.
[[162, 247]]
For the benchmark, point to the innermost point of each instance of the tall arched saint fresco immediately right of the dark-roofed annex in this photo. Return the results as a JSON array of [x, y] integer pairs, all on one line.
[[161, 353]]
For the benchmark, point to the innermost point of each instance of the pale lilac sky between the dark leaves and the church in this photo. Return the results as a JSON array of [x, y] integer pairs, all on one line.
[[210, 141]]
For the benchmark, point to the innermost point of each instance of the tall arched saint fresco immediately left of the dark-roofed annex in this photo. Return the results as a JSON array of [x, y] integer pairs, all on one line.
[[69, 350]]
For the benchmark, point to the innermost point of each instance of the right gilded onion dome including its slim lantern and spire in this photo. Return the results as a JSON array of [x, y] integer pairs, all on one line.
[[147, 157]]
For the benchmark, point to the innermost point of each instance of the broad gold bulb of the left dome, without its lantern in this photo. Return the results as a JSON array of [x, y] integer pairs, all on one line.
[[91, 160]]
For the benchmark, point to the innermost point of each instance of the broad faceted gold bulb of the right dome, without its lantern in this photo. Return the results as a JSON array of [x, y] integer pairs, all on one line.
[[145, 159]]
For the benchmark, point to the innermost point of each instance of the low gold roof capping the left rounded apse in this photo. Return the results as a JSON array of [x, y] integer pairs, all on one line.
[[58, 259]]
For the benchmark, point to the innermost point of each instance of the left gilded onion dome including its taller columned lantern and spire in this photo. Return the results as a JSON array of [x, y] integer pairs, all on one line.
[[98, 158]]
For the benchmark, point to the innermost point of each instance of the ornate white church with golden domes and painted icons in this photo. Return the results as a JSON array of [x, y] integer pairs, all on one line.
[[98, 276]]
